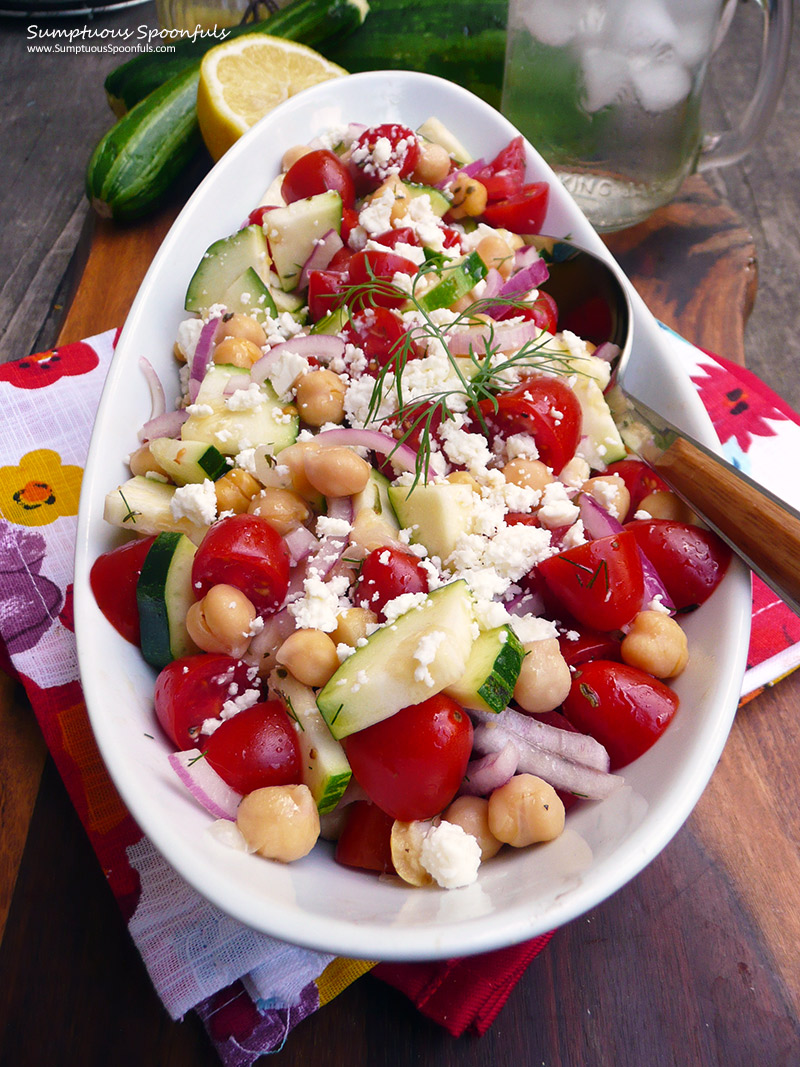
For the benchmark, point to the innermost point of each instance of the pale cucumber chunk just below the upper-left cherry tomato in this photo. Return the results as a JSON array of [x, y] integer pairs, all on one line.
[[295, 230]]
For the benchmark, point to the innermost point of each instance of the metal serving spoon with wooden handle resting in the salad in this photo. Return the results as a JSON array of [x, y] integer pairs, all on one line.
[[760, 528]]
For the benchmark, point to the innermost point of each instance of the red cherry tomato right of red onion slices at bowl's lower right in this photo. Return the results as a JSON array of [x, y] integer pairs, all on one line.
[[621, 707]]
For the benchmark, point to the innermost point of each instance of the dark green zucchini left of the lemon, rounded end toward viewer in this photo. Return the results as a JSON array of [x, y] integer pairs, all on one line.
[[136, 163]]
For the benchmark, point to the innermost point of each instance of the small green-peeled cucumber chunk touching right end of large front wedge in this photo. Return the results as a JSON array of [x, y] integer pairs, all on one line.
[[492, 671]]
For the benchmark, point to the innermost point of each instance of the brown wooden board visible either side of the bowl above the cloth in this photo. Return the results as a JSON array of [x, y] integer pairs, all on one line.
[[693, 262]]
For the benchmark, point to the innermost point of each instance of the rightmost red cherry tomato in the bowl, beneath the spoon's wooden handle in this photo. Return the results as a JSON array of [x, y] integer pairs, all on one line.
[[691, 562]]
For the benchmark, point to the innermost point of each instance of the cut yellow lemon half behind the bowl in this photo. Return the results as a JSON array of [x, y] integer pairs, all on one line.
[[244, 79]]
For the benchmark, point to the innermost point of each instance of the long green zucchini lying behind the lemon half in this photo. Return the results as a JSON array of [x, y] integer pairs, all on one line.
[[312, 23]]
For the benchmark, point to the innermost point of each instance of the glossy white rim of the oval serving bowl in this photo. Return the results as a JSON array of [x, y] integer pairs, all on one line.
[[366, 937]]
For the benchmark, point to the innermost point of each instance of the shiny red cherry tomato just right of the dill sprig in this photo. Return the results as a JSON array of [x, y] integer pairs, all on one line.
[[545, 408]]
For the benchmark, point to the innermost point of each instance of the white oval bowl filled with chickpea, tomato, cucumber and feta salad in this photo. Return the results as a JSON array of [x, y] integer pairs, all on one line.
[[410, 657]]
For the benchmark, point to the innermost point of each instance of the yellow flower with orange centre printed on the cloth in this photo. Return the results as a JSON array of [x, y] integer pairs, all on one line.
[[40, 490]]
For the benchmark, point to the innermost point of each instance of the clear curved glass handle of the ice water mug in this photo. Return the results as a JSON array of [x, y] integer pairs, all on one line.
[[719, 150]]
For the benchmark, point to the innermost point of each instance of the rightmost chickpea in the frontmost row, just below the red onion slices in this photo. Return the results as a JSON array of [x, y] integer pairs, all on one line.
[[524, 811]]
